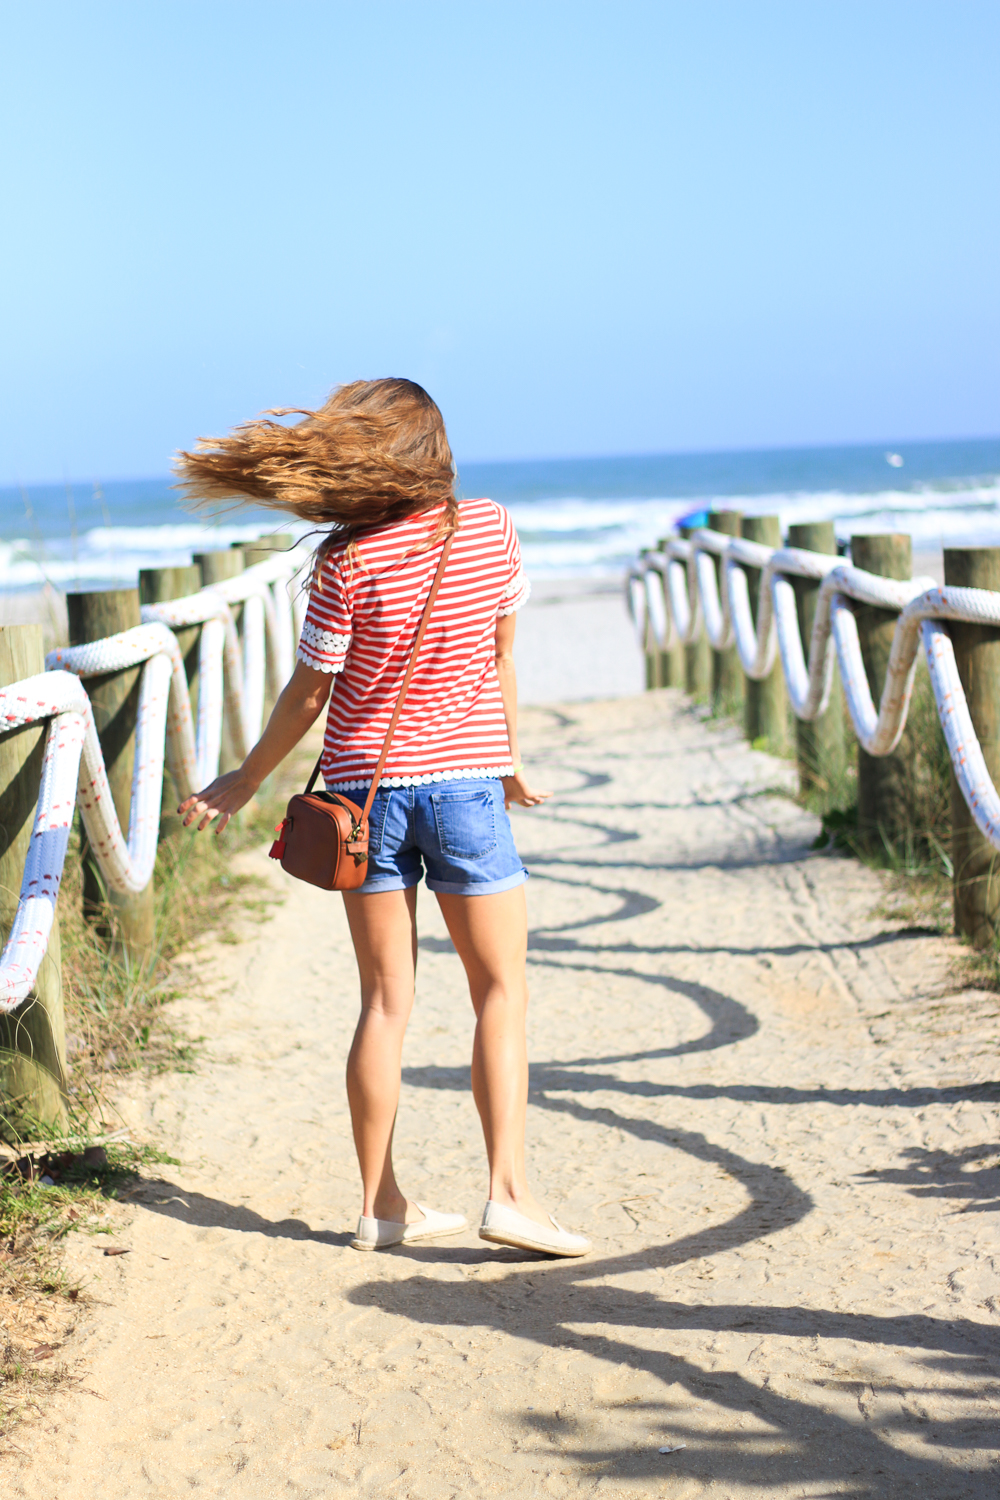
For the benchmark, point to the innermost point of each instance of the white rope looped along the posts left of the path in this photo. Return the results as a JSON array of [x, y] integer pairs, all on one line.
[[233, 682]]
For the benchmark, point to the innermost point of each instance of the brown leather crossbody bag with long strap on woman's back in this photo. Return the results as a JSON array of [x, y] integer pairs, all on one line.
[[325, 838]]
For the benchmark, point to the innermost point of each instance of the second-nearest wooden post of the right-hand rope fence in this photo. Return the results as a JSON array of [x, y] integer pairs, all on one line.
[[884, 802]]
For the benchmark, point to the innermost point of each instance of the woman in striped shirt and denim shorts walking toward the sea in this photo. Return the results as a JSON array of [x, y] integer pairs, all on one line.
[[374, 466]]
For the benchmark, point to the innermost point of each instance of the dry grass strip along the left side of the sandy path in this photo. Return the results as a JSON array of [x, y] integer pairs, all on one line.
[[118, 1019]]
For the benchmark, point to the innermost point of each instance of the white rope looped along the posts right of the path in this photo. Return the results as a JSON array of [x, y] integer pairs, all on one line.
[[674, 595]]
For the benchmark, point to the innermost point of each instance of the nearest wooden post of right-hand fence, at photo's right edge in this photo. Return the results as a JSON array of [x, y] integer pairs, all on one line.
[[977, 865]]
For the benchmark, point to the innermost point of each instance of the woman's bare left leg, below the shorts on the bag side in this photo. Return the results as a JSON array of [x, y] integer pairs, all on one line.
[[385, 932]]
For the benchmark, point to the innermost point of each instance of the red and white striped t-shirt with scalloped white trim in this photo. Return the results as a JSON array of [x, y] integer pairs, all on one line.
[[362, 622]]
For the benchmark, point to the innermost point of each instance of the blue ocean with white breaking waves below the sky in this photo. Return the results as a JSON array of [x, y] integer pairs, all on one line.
[[576, 518]]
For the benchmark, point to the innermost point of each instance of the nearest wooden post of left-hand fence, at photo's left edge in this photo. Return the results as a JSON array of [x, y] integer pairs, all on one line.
[[32, 1037]]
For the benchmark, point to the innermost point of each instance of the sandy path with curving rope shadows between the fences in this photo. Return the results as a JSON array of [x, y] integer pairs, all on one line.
[[761, 1100]]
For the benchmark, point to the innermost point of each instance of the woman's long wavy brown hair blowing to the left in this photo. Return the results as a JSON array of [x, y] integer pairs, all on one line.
[[376, 452]]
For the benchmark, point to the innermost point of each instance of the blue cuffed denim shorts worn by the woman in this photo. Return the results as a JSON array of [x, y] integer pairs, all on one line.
[[458, 833]]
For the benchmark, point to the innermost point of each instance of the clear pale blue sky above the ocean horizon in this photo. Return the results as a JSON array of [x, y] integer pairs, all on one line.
[[585, 227]]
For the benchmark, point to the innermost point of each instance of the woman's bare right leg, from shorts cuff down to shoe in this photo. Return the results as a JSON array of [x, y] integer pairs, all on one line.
[[491, 937]]
